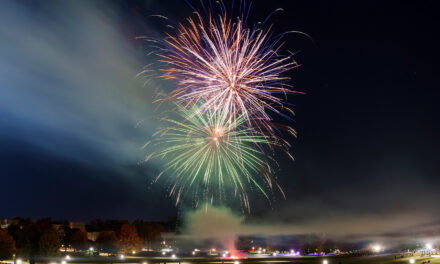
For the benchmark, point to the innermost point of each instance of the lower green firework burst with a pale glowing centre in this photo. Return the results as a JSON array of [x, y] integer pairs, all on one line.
[[209, 153]]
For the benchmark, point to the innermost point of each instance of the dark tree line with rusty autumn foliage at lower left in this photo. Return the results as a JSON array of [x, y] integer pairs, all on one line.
[[29, 239]]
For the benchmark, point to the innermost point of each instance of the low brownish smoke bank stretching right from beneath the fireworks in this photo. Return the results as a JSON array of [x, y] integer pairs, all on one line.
[[220, 224]]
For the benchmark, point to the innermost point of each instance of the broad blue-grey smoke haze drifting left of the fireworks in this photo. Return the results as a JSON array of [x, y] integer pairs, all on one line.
[[68, 81]]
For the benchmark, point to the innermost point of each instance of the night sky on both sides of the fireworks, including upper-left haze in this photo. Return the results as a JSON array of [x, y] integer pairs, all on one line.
[[73, 117]]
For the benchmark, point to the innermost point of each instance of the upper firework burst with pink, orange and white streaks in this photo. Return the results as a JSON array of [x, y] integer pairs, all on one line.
[[228, 66]]
